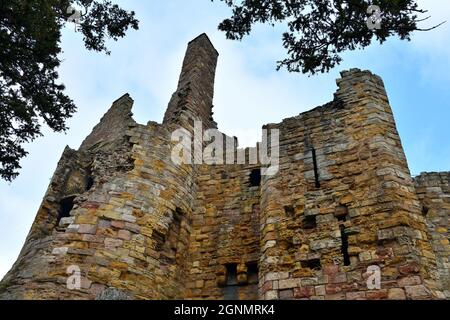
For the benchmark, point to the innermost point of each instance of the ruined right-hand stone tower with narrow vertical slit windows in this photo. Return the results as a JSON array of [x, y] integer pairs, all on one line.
[[343, 201]]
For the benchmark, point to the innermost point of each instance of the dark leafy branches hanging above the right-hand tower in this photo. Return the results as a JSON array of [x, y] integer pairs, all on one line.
[[320, 30]]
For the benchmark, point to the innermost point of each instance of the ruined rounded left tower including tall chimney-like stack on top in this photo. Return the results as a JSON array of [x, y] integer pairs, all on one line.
[[129, 230]]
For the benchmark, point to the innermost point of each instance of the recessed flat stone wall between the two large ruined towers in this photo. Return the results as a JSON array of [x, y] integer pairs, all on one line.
[[225, 234]]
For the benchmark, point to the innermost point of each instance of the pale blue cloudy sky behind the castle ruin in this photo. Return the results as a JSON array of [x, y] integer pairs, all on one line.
[[249, 92]]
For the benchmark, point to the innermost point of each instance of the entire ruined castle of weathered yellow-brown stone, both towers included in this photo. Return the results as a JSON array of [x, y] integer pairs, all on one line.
[[139, 226]]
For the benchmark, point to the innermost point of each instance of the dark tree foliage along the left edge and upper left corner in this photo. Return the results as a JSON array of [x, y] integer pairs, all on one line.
[[30, 35]]
